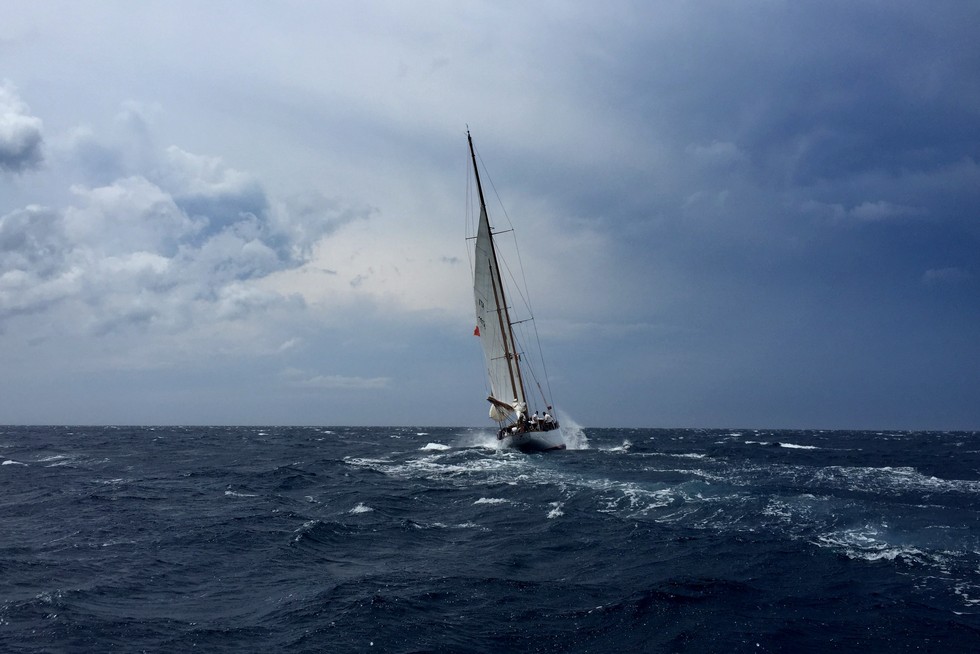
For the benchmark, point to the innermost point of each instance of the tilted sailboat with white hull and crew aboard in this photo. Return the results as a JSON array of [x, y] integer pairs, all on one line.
[[517, 427]]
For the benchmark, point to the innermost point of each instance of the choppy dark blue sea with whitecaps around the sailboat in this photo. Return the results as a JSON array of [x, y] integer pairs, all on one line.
[[418, 539]]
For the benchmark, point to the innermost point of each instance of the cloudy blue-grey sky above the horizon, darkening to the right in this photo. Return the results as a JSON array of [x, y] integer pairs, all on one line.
[[760, 214]]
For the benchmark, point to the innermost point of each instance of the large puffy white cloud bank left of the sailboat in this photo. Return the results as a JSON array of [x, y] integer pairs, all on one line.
[[178, 242]]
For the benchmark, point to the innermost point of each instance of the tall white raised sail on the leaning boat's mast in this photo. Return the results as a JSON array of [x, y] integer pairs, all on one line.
[[492, 324]]
